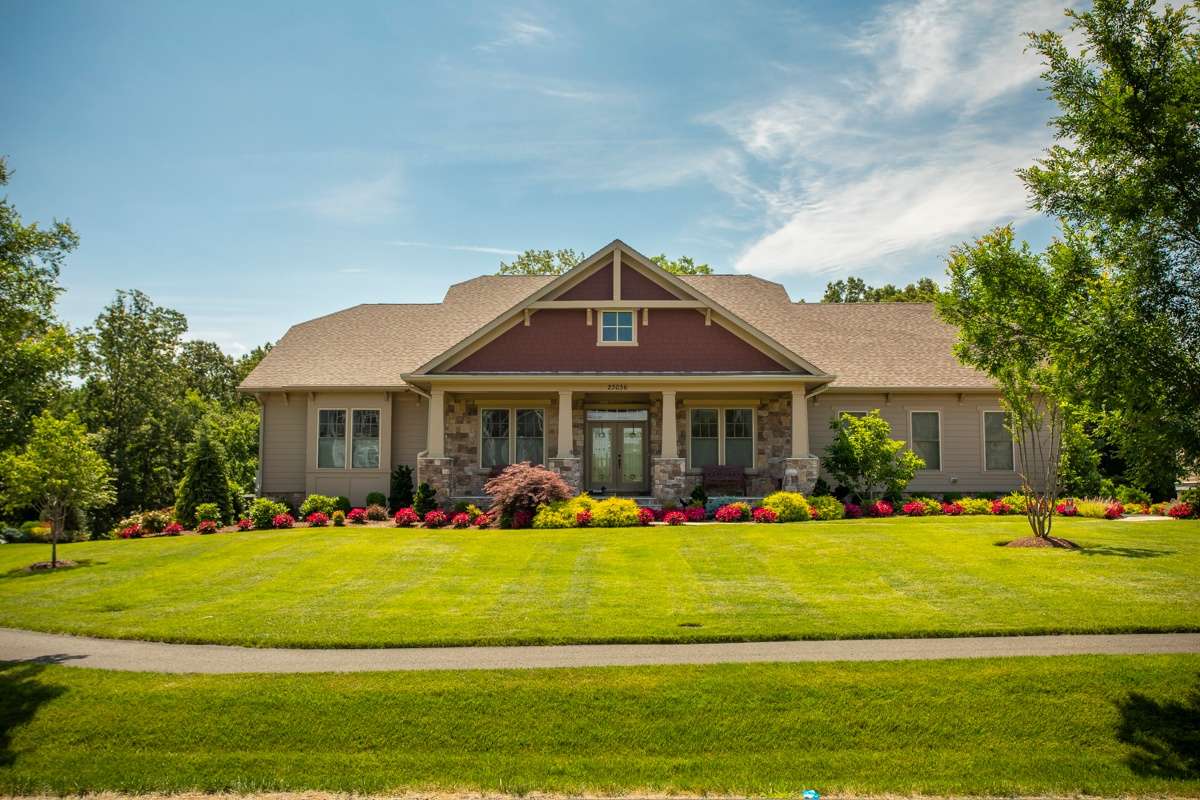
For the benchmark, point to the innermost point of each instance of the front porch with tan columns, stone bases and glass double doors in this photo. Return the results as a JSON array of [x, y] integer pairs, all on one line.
[[614, 440]]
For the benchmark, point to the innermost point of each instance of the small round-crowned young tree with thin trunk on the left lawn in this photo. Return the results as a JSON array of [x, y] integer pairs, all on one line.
[[57, 472]]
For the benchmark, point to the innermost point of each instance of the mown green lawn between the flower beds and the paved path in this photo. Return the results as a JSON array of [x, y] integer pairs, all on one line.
[[388, 587]]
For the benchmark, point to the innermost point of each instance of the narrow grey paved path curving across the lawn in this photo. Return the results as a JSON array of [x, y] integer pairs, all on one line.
[[157, 657]]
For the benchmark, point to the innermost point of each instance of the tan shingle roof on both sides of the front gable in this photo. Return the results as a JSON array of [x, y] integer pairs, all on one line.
[[868, 346]]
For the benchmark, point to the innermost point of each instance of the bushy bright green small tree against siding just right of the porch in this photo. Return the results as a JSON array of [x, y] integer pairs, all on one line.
[[867, 460]]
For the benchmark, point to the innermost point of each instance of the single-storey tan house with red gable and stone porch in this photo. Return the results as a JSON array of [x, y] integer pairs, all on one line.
[[625, 380]]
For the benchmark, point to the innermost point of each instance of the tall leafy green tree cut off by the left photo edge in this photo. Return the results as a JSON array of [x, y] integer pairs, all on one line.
[[37, 352]]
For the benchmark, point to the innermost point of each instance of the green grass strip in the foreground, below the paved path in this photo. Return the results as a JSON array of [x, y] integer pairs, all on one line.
[[1088, 725]]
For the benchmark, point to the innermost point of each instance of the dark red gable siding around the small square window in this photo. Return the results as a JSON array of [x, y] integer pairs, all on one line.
[[561, 341]]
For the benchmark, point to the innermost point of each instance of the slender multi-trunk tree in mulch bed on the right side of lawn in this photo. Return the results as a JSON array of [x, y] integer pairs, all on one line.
[[1015, 312]]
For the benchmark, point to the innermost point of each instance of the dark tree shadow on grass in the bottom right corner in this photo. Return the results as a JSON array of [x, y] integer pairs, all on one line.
[[1165, 737]]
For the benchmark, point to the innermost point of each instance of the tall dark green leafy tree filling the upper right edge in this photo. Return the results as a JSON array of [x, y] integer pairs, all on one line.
[[1125, 173]]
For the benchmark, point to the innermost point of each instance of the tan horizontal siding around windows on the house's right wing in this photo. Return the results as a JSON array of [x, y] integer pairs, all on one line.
[[962, 436]]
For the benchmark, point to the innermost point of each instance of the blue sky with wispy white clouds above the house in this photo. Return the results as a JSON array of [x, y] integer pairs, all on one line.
[[259, 165]]
